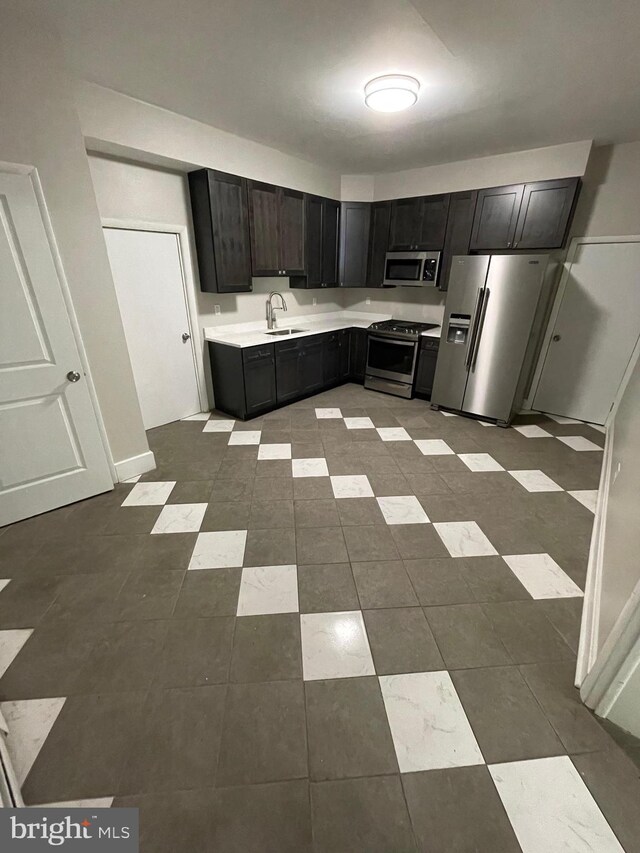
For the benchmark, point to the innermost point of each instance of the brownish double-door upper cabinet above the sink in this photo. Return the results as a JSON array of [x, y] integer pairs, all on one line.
[[276, 218]]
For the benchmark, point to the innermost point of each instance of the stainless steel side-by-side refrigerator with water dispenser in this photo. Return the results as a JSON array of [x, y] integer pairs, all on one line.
[[495, 314]]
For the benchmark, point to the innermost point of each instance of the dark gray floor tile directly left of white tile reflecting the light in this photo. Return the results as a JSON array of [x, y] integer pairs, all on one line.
[[266, 648]]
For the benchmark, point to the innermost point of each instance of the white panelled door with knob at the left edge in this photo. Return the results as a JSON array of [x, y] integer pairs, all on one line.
[[51, 452]]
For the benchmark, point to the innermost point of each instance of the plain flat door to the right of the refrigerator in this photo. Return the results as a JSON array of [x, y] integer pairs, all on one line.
[[596, 329]]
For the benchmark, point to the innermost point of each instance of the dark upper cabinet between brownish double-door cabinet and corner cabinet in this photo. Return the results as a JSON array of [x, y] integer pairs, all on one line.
[[322, 217]]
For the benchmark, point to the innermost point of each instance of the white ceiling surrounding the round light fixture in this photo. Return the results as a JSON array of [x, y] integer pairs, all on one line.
[[497, 75]]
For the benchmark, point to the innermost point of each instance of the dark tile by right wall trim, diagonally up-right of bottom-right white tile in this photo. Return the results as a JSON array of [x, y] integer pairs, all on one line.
[[552, 685]]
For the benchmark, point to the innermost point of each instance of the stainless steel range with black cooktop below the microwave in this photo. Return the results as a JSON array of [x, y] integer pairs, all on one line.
[[392, 353]]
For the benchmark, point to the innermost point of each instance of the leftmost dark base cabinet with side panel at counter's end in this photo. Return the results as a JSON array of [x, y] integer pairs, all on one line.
[[244, 380]]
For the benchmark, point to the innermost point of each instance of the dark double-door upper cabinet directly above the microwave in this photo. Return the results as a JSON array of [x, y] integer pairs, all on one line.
[[418, 223]]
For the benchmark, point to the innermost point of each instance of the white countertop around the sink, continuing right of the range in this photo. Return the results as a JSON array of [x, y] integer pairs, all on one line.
[[254, 333]]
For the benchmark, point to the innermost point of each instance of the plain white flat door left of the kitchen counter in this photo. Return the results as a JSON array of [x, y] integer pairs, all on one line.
[[147, 270]]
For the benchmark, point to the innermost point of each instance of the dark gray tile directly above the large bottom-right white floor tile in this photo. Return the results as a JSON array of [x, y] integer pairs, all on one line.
[[504, 715]]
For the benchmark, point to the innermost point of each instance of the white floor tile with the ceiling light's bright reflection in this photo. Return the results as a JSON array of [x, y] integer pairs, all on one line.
[[335, 645]]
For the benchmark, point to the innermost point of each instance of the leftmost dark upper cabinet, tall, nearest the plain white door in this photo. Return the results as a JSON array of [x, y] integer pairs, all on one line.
[[221, 229]]
